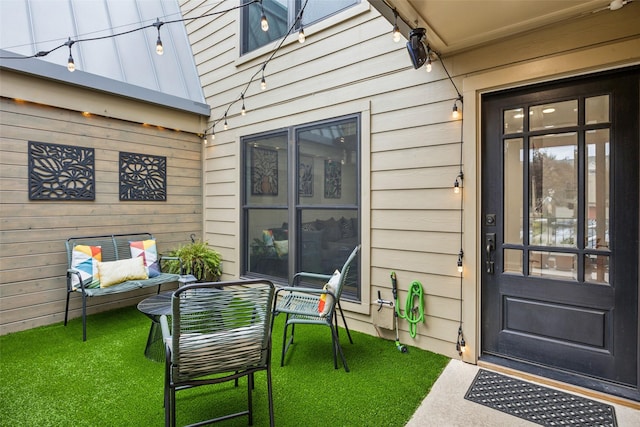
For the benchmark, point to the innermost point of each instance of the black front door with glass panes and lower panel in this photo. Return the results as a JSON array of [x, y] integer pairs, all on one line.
[[560, 172]]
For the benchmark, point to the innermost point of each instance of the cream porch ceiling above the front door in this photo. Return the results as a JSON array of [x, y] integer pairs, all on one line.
[[455, 25]]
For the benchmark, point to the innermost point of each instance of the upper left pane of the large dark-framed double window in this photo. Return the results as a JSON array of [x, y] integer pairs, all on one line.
[[266, 171]]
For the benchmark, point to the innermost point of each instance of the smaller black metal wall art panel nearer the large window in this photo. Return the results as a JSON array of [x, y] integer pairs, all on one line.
[[143, 177]]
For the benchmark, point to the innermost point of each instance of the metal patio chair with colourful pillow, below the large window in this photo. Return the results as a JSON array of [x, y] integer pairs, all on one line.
[[312, 306]]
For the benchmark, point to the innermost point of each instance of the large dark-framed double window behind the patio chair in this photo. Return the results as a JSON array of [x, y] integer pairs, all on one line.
[[302, 214]]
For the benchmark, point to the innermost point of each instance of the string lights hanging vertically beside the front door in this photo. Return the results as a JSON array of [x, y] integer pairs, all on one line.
[[426, 53]]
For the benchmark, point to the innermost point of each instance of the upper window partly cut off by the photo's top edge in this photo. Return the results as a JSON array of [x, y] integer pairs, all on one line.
[[280, 15]]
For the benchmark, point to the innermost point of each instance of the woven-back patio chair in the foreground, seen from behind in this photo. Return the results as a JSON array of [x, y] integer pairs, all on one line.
[[220, 332]]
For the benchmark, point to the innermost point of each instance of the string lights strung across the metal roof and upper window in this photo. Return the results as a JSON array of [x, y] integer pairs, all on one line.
[[264, 25]]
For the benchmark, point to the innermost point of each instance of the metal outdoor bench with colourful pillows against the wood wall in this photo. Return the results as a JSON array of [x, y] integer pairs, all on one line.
[[114, 247]]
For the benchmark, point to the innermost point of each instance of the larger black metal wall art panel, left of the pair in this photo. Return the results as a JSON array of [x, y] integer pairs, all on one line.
[[61, 172]]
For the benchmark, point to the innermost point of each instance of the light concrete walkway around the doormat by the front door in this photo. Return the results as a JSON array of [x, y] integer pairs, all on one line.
[[445, 405]]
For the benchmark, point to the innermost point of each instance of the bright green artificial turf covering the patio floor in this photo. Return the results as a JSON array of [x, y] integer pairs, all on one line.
[[49, 377]]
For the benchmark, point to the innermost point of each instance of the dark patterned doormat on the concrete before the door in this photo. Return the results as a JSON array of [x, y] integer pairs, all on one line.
[[540, 405]]
